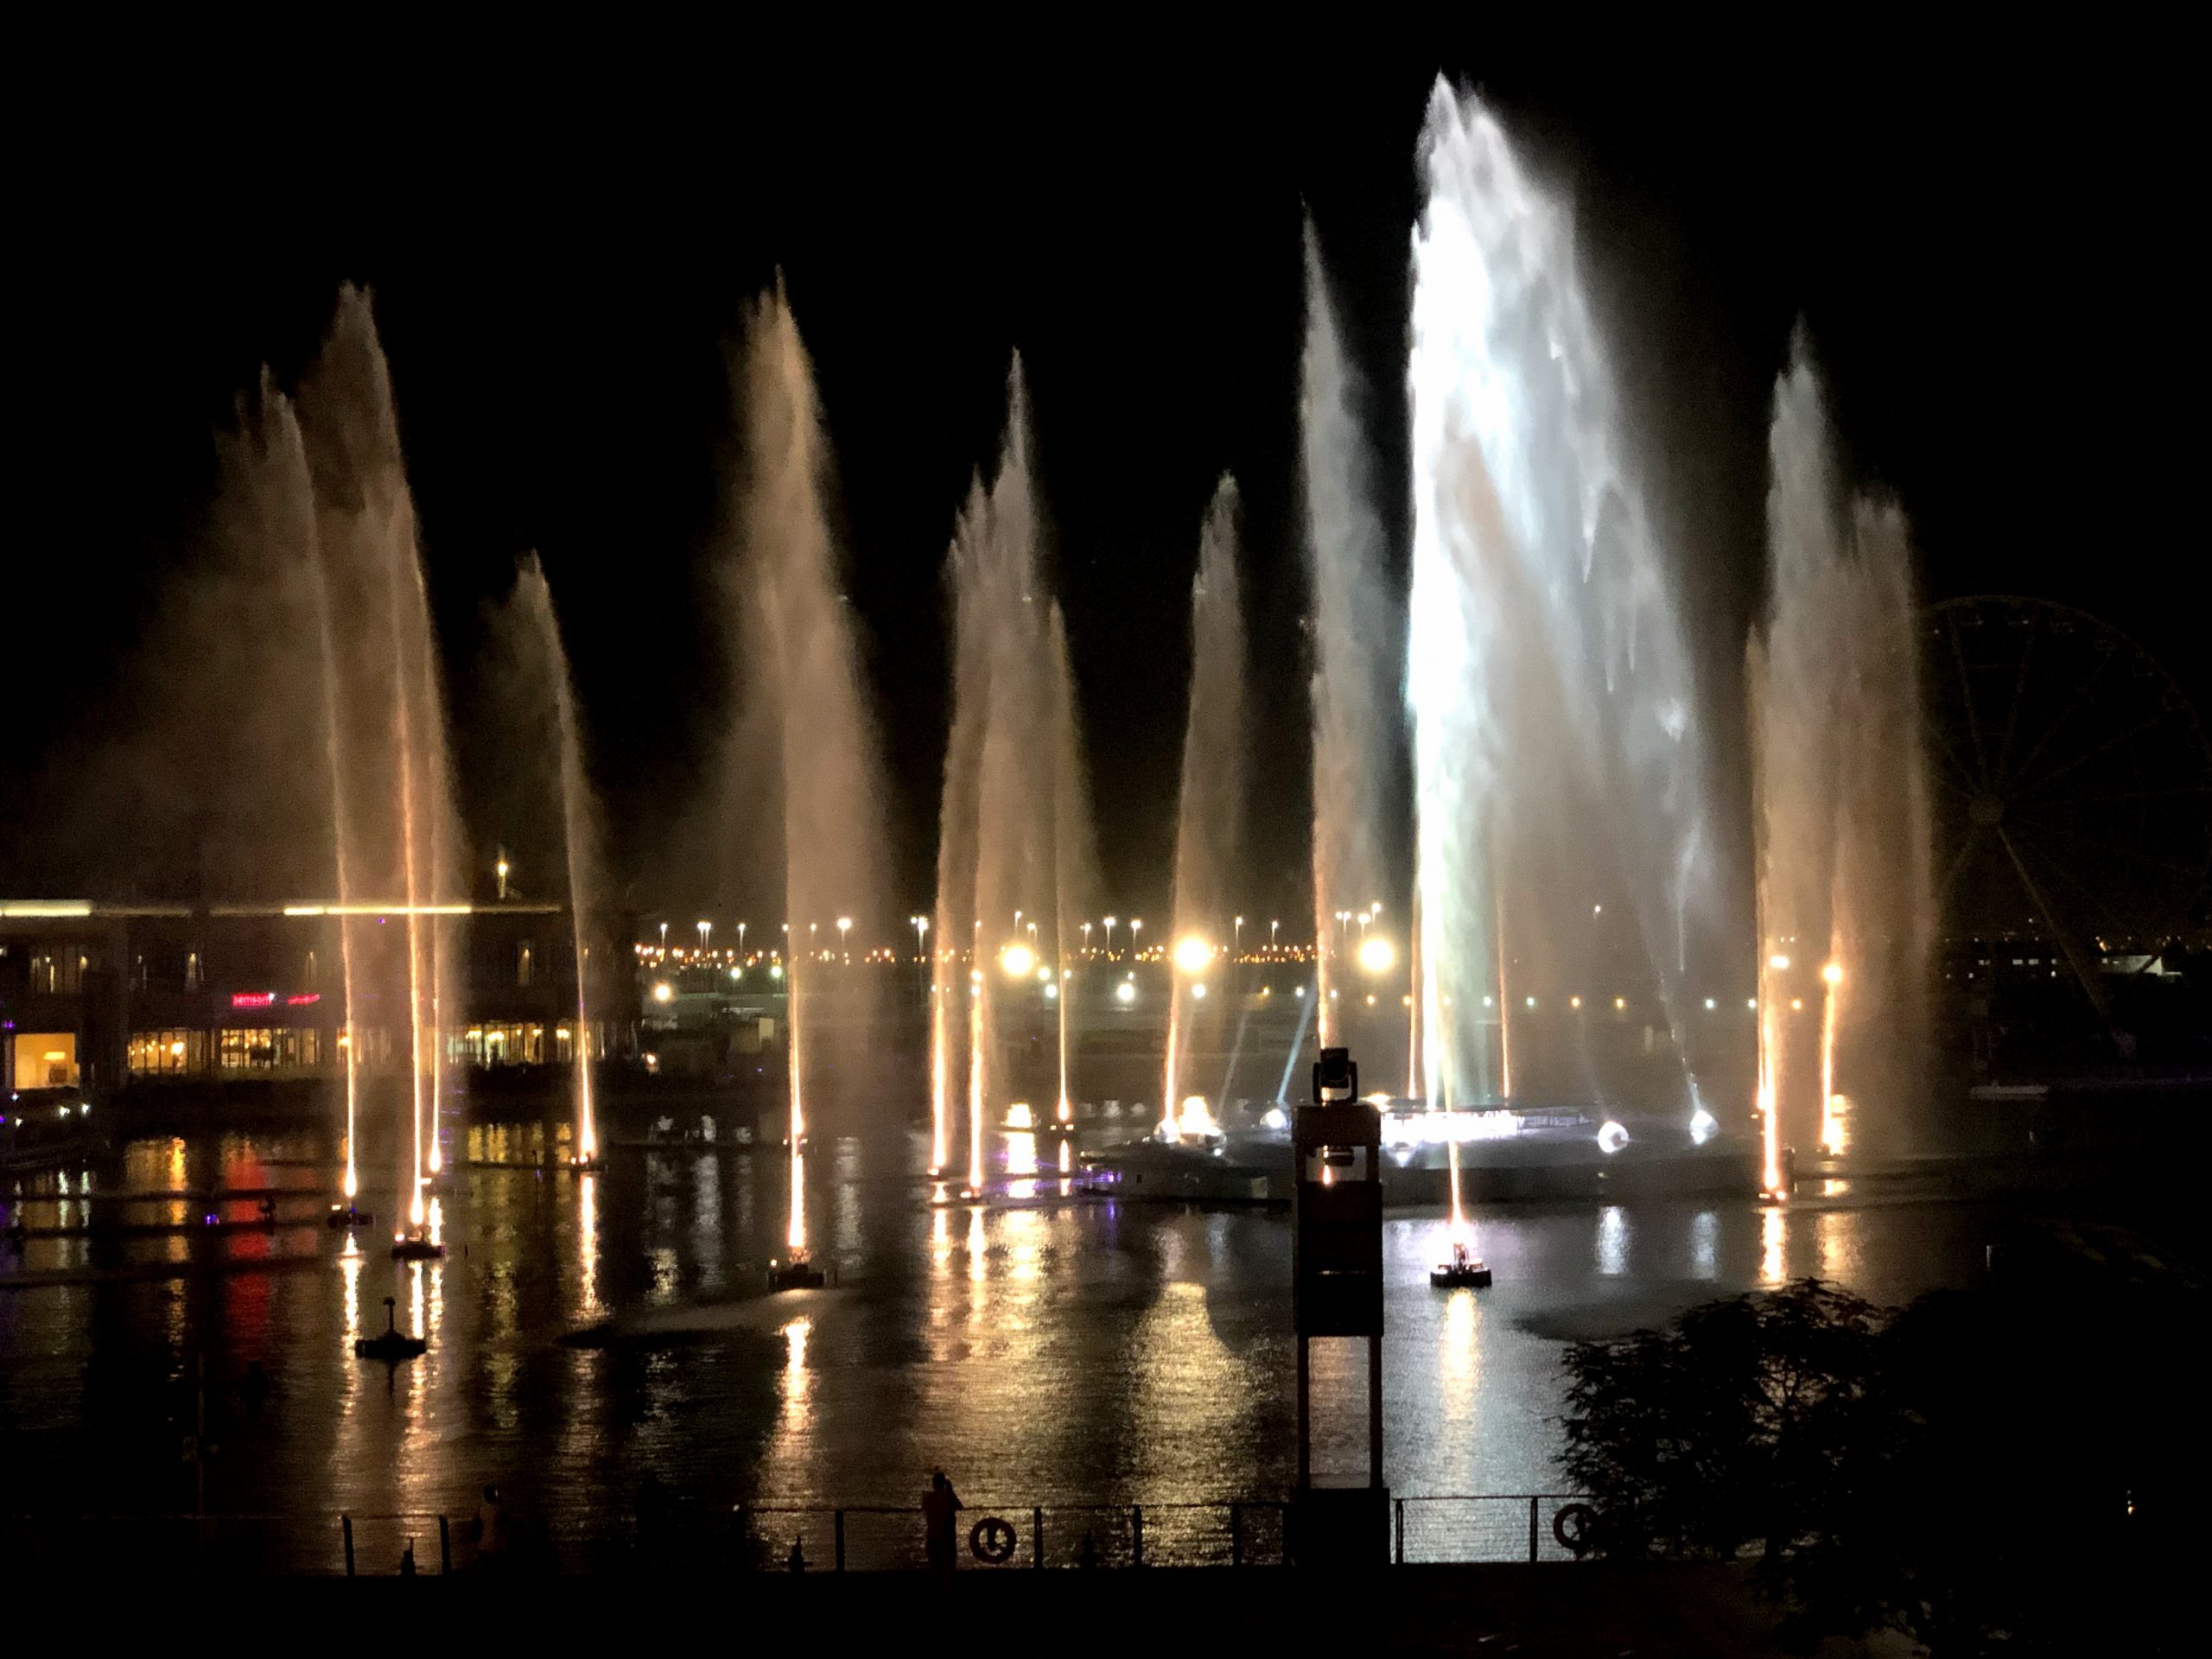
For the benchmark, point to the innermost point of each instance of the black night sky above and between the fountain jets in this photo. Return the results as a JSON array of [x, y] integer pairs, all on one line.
[[1987, 251]]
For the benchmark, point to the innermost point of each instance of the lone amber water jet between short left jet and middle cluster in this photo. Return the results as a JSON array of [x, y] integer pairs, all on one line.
[[806, 705]]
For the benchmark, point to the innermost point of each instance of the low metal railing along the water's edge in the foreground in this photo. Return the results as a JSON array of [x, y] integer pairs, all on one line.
[[815, 1538]]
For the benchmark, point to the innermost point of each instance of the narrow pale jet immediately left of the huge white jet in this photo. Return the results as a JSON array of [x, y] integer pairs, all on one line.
[[1353, 618]]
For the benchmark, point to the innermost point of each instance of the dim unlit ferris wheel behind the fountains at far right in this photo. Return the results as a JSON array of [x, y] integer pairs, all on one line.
[[2072, 778]]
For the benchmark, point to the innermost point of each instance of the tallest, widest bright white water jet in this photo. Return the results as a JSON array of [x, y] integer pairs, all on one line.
[[1547, 665]]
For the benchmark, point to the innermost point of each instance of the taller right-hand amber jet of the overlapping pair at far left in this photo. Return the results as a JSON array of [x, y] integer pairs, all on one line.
[[401, 817]]
